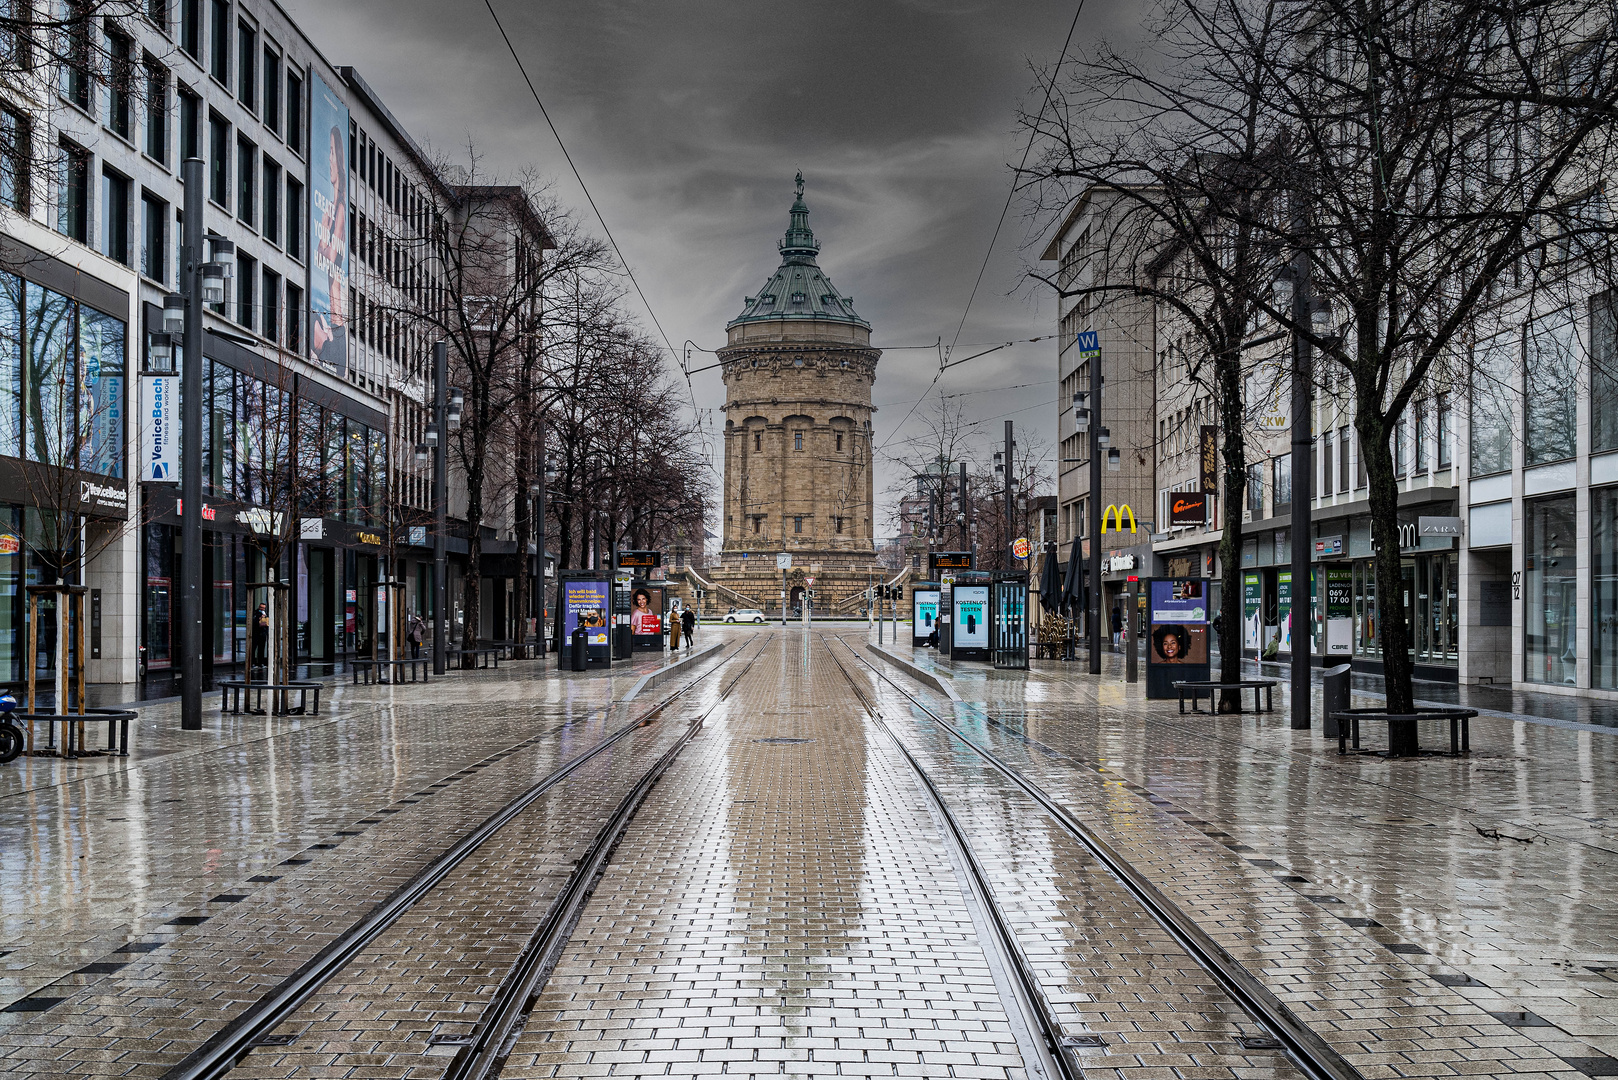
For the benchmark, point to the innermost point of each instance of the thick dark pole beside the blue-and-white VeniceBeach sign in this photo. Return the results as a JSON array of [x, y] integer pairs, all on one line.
[[192, 598]]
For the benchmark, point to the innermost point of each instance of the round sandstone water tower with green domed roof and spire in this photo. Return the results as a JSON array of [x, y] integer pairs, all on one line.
[[798, 370]]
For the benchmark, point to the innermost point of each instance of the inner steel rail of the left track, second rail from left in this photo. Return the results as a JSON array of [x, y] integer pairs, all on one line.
[[499, 1026]]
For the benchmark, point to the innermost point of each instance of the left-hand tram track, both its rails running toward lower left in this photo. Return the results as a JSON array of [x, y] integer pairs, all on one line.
[[481, 1053]]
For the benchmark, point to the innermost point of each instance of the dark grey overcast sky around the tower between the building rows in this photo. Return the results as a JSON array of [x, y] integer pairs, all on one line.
[[690, 119]]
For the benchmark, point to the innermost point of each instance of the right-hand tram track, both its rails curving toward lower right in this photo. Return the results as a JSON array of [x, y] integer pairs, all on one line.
[[1302, 1045]]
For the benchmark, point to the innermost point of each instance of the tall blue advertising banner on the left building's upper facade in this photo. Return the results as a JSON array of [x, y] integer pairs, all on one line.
[[329, 227]]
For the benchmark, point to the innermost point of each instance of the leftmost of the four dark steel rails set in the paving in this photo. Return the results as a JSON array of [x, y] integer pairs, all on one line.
[[226, 1048]]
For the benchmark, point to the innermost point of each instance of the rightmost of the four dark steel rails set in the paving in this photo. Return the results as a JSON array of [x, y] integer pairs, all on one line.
[[1302, 1044]]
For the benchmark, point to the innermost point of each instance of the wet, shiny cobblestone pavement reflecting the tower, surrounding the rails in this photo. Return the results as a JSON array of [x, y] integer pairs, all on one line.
[[787, 901]]
